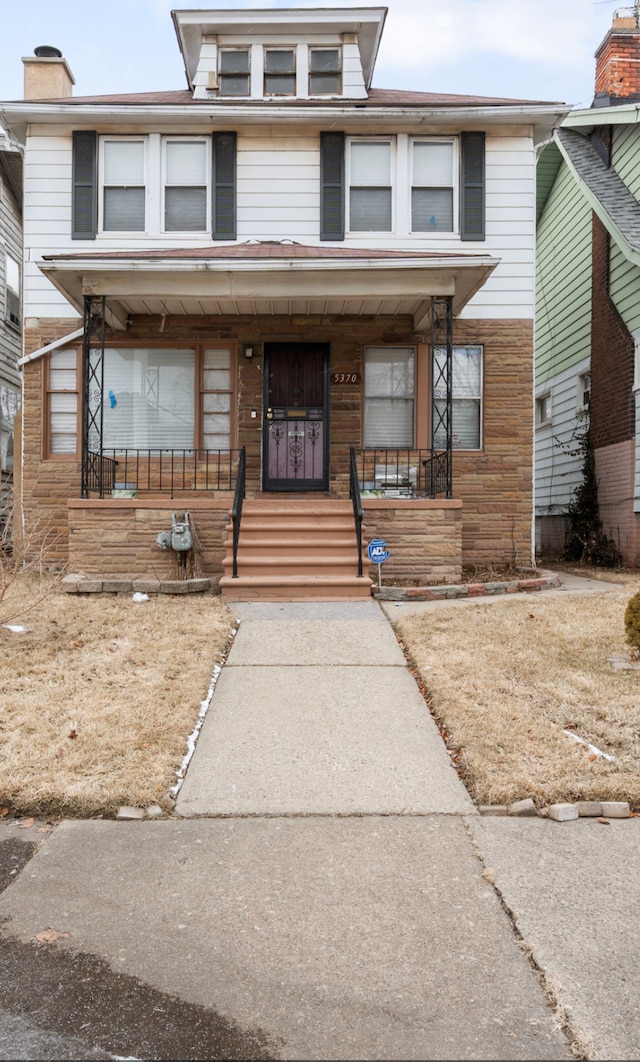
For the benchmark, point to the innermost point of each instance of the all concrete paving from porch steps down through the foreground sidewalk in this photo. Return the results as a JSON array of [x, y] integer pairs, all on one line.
[[331, 892]]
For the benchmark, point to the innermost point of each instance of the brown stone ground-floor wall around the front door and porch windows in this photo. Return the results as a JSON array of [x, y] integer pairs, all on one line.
[[495, 486]]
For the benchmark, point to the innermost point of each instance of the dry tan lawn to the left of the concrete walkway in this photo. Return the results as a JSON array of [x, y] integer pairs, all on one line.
[[126, 678]]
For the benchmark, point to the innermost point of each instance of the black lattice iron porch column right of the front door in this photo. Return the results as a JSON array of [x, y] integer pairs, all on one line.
[[442, 387]]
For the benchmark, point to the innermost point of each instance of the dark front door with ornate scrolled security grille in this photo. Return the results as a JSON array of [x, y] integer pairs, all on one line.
[[297, 443]]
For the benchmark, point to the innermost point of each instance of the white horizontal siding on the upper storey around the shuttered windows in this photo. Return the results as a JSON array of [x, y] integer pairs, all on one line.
[[279, 199]]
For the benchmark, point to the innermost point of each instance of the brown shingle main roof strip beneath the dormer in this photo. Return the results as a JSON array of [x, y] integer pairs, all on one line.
[[376, 98]]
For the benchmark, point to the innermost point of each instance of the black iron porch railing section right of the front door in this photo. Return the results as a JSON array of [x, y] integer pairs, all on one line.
[[405, 473]]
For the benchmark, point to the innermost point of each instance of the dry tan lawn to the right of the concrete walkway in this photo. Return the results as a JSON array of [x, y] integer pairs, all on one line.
[[505, 680]]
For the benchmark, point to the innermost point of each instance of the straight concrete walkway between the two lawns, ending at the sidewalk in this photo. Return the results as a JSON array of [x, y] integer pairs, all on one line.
[[316, 713]]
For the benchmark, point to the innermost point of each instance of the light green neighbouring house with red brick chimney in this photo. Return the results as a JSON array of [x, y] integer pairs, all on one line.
[[589, 301]]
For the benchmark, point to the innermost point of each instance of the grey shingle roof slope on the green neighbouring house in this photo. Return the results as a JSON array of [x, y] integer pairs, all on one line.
[[614, 198]]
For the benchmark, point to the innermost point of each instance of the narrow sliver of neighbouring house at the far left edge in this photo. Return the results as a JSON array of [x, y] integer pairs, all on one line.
[[11, 309]]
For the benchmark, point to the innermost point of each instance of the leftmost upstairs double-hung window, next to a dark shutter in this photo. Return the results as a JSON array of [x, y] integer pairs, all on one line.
[[125, 186]]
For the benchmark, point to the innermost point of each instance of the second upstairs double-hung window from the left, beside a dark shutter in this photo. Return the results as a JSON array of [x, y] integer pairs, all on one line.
[[186, 179]]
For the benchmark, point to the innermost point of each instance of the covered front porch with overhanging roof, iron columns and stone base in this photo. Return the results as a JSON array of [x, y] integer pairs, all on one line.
[[281, 329]]
